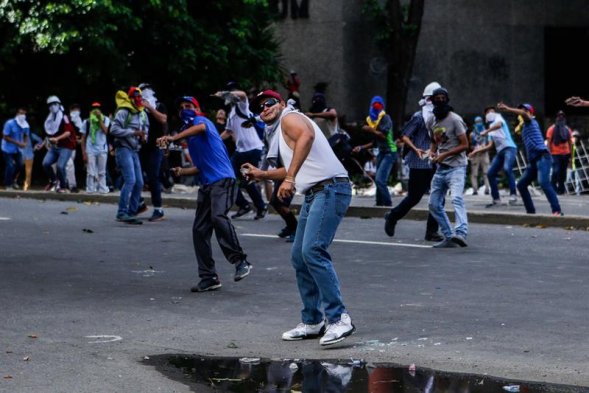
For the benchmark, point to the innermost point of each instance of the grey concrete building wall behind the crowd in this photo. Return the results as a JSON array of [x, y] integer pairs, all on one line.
[[482, 51]]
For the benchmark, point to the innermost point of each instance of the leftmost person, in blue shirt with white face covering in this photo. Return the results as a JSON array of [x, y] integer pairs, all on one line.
[[14, 138]]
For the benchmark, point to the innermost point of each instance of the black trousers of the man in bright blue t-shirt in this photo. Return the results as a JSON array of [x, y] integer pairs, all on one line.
[[213, 203]]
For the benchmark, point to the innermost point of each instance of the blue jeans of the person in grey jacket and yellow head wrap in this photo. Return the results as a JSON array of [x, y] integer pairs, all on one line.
[[130, 167]]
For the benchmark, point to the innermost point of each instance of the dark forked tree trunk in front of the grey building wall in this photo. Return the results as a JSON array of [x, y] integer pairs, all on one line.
[[398, 26]]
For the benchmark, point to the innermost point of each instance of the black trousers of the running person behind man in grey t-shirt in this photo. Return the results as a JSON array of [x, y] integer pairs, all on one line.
[[419, 183]]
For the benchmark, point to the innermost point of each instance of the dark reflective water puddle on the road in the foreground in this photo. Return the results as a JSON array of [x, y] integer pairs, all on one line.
[[250, 375]]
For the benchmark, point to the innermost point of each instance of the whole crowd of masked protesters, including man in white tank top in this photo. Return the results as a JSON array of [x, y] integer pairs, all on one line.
[[264, 144]]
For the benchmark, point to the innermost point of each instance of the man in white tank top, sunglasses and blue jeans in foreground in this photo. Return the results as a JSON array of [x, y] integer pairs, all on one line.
[[312, 169]]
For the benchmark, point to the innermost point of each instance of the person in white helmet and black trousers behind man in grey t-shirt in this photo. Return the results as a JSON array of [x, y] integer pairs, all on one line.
[[417, 142]]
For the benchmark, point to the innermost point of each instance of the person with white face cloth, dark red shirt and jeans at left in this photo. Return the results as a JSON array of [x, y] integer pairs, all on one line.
[[61, 139]]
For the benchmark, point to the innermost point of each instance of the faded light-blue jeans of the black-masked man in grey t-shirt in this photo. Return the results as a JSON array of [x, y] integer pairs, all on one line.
[[449, 178]]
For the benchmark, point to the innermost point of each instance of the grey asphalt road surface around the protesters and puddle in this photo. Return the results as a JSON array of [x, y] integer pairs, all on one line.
[[513, 304]]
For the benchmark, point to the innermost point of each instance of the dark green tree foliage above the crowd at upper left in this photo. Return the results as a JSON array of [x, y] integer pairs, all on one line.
[[85, 50]]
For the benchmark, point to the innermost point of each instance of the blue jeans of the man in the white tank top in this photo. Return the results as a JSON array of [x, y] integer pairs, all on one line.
[[317, 280]]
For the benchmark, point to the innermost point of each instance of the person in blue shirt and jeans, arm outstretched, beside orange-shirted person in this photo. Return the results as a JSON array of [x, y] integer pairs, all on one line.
[[539, 159]]
